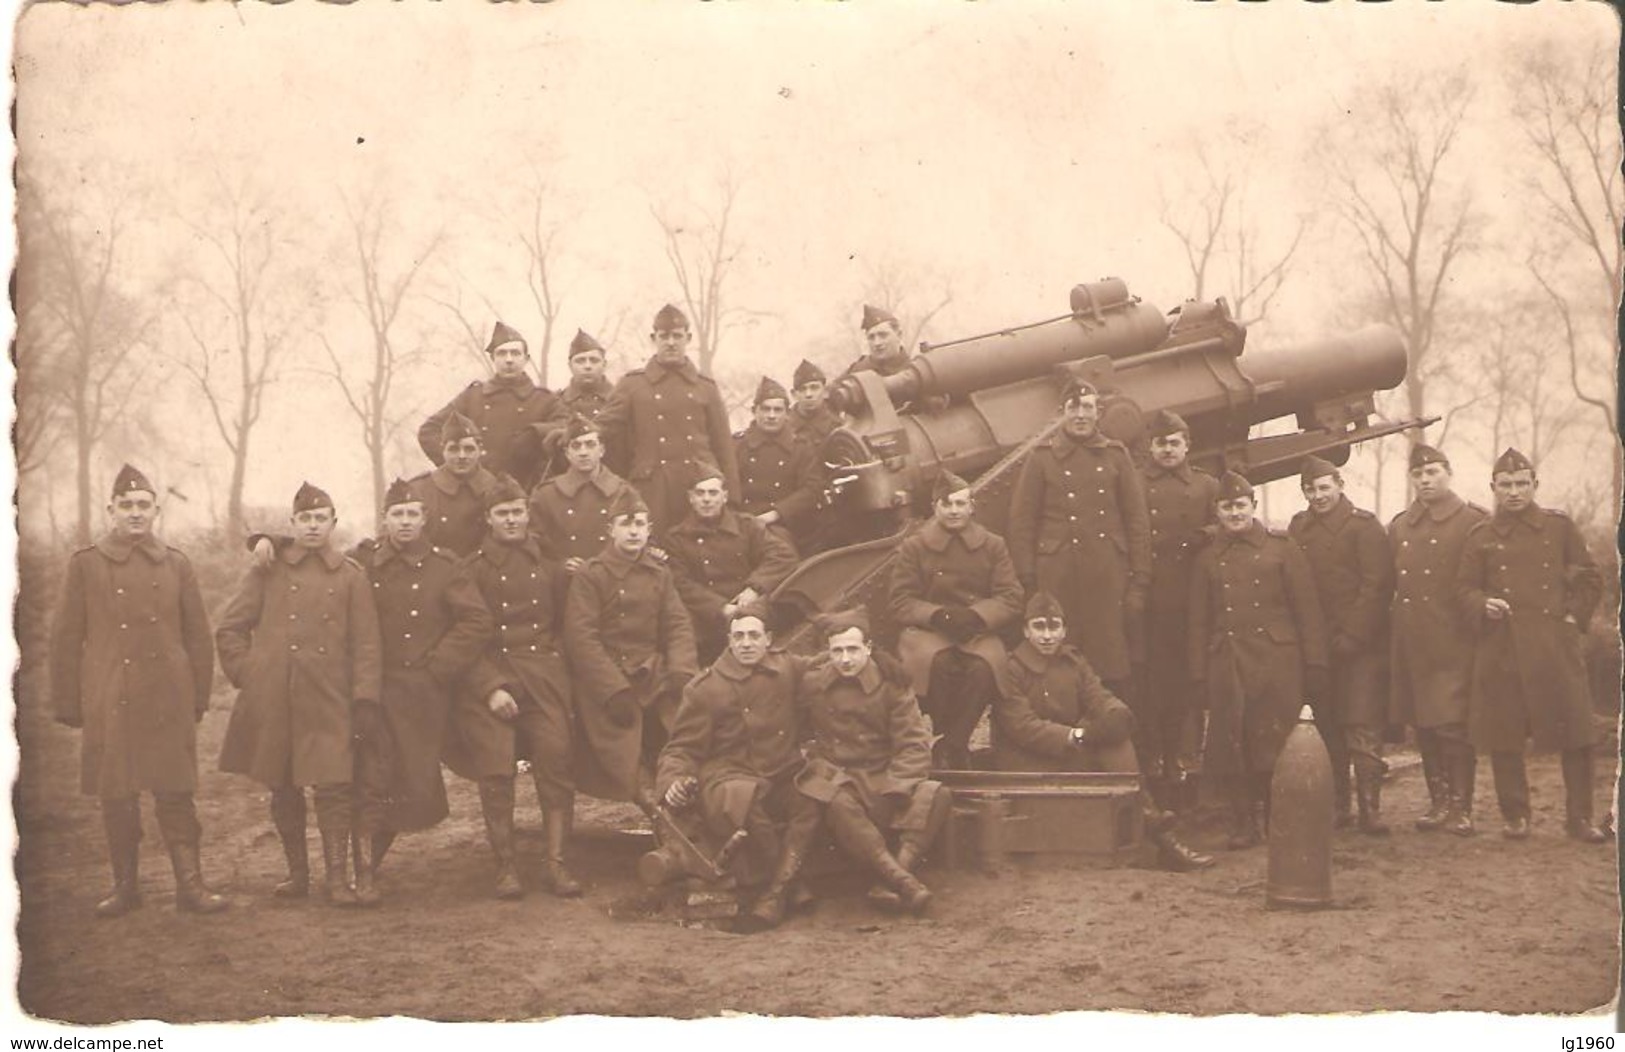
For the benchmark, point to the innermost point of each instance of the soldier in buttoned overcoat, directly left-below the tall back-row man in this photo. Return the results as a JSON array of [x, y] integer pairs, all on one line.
[[570, 513]]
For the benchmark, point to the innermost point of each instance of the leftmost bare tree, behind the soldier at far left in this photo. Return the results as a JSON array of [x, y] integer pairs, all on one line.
[[74, 313]]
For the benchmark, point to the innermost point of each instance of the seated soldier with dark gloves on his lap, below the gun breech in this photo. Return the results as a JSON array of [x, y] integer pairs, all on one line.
[[953, 589]]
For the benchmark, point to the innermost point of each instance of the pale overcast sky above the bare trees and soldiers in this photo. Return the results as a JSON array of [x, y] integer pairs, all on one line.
[[1000, 150]]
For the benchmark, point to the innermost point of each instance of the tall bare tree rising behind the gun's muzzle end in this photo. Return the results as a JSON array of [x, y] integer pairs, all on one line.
[[1397, 194]]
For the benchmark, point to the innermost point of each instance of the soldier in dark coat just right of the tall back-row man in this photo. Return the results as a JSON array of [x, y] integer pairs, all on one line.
[[778, 477]]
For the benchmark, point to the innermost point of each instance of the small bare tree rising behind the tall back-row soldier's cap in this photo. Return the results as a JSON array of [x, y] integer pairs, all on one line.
[[701, 258]]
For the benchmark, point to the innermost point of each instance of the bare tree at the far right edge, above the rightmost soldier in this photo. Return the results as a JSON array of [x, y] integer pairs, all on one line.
[[1567, 105]]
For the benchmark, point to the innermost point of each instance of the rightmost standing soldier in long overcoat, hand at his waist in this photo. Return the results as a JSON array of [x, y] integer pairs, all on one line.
[[1530, 586]]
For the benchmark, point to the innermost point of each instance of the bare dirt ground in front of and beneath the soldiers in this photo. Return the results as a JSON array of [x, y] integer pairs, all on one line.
[[1423, 923]]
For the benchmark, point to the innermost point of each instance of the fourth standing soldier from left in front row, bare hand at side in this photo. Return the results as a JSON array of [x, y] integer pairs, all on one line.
[[519, 693]]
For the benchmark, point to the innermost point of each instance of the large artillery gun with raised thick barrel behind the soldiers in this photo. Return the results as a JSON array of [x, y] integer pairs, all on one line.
[[1003, 393]]
